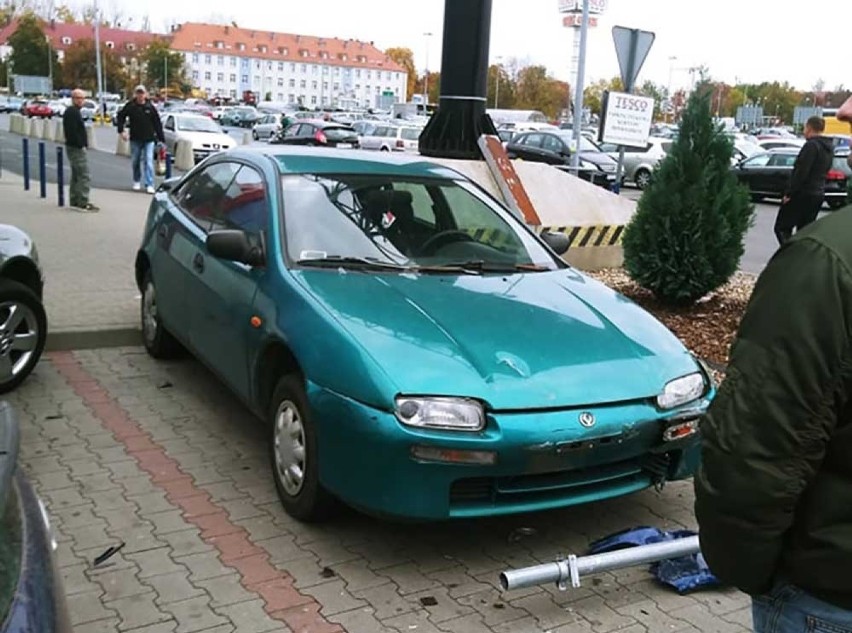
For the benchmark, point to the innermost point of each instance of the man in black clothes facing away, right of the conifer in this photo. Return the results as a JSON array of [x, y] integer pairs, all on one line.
[[806, 192]]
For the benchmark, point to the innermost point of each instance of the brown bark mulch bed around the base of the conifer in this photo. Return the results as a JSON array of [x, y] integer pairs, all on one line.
[[706, 328]]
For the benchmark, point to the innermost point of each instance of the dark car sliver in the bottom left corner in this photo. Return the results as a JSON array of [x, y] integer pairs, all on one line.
[[32, 597]]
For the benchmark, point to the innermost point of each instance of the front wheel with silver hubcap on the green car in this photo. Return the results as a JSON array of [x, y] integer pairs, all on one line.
[[293, 453]]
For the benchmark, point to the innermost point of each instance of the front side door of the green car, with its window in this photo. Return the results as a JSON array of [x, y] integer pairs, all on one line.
[[226, 289]]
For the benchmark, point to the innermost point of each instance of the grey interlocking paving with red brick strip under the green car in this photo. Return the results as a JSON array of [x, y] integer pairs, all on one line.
[[159, 456]]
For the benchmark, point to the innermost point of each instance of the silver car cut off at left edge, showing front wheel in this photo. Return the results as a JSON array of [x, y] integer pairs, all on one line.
[[23, 322]]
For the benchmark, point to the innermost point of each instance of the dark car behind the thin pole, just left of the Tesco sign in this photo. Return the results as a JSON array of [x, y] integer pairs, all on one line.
[[554, 147]]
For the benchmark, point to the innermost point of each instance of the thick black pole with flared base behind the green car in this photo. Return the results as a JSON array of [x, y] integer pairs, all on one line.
[[455, 128]]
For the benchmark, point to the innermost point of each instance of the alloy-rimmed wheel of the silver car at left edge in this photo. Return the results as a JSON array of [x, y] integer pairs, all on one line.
[[34, 320]]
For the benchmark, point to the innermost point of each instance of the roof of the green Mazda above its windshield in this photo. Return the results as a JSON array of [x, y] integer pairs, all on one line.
[[317, 160]]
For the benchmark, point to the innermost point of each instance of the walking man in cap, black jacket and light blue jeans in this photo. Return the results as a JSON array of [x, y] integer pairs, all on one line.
[[145, 129]]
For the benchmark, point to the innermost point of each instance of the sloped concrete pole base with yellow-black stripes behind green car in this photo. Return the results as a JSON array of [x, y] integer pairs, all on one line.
[[592, 217]]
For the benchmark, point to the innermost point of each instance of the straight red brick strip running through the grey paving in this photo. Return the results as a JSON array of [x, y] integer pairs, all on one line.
[[283, 602]]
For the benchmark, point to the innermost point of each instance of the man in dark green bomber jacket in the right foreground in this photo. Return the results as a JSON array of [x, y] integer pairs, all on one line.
[[774, 490]]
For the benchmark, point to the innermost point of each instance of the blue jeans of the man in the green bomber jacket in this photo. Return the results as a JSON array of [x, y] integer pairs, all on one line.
[[788, 609]]
